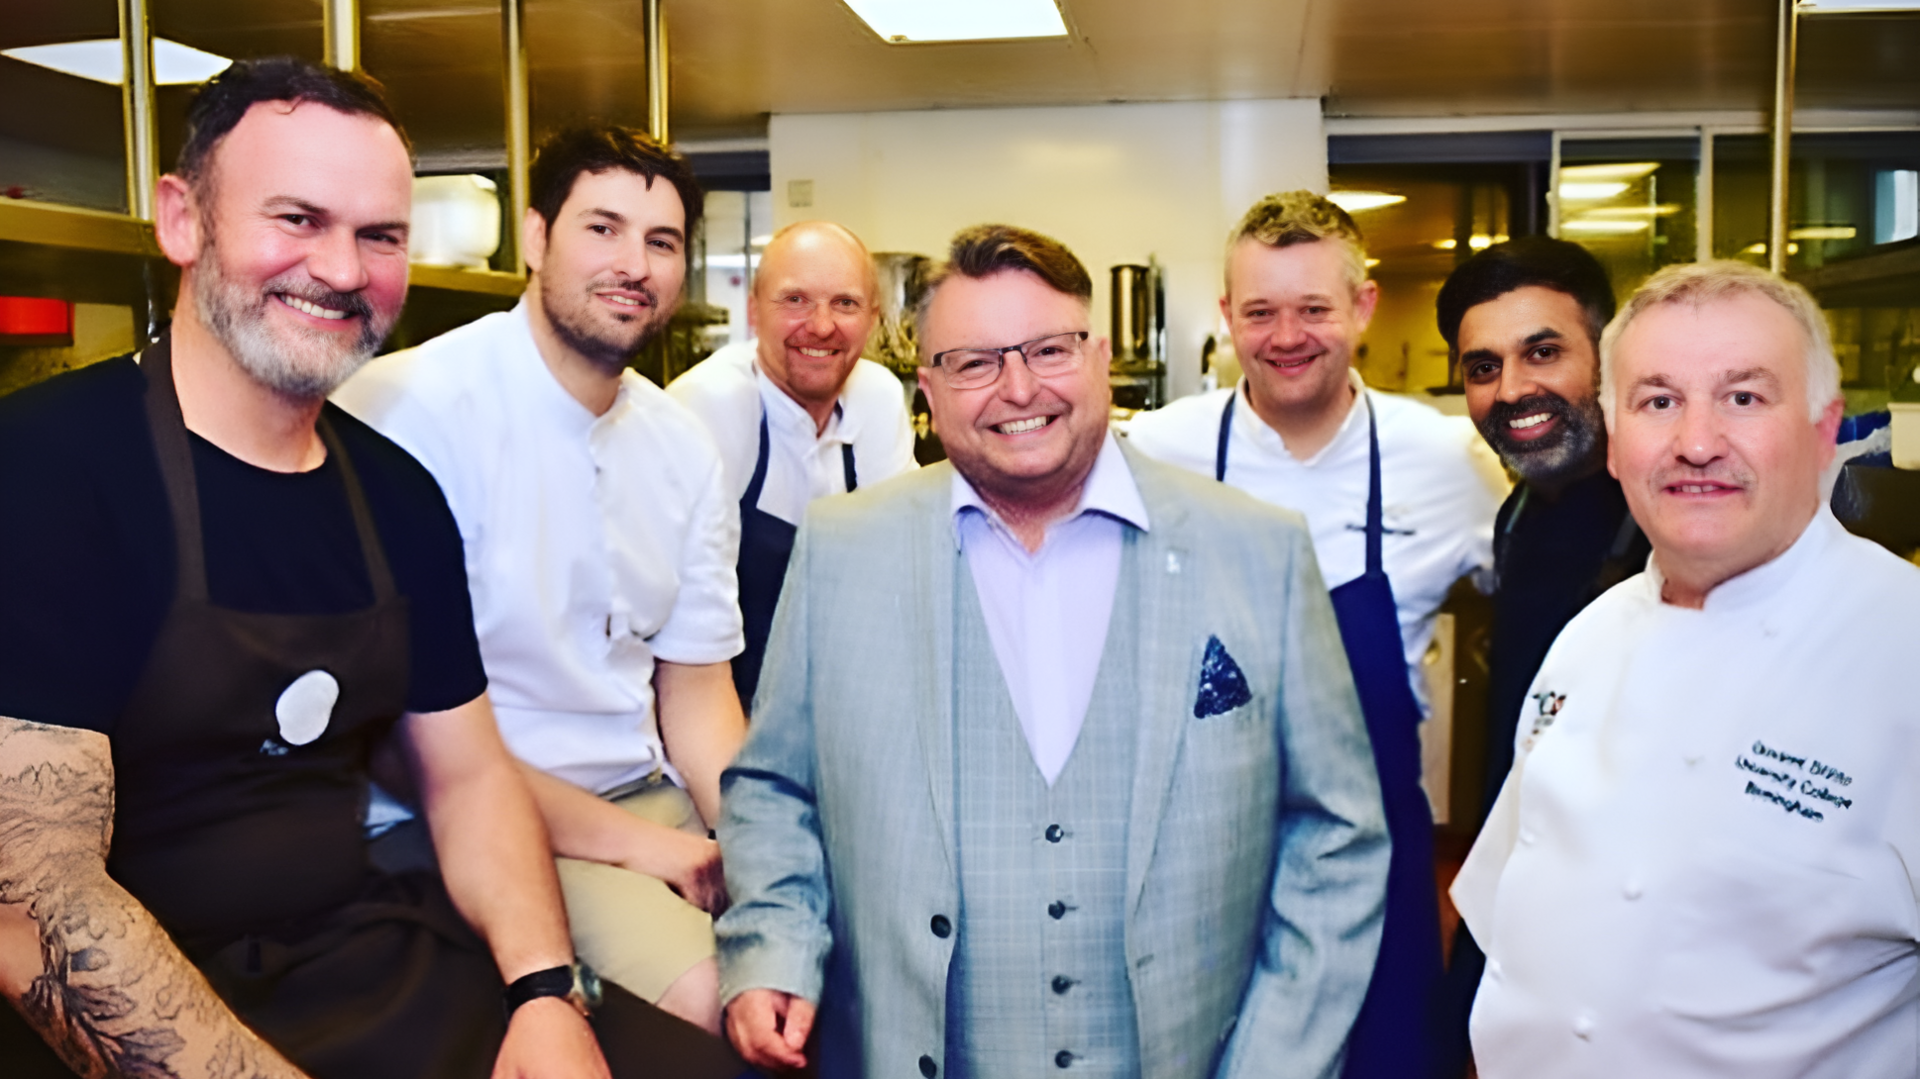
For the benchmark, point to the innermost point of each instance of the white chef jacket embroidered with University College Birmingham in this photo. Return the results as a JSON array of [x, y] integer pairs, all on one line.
[[1704, 861]]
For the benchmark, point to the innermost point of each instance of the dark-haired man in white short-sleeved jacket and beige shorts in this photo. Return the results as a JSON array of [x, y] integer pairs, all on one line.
[[600, 546]]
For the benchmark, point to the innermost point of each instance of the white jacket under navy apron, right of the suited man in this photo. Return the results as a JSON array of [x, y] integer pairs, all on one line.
[[1439, 492]]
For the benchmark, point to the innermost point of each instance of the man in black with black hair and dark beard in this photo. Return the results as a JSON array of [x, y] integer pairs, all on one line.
[[1524, 322]]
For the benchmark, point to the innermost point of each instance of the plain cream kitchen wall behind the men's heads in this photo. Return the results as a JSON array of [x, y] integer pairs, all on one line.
[[1116, 183]]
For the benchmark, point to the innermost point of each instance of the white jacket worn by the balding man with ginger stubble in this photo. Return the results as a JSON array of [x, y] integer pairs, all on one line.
[[729, 395]]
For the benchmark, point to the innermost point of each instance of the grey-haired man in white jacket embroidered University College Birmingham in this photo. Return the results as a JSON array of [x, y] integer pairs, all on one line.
[[1704, 861]]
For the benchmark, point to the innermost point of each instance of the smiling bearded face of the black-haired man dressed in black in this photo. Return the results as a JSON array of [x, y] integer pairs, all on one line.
[[1533, 377]]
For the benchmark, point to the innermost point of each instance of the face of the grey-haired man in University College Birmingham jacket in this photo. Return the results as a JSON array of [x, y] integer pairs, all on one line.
[[1712, 437]]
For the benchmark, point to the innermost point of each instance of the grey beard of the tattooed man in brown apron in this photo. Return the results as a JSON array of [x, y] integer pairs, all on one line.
[[302, 364]]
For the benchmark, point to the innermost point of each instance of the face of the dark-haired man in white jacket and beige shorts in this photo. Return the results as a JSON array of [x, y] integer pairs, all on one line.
[[608, 272]]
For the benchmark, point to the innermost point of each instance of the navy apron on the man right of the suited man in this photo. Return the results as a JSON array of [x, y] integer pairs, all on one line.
[[1389, 1040]]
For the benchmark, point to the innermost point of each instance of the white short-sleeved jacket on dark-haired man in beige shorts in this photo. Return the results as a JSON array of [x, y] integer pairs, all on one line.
[[594, 544]]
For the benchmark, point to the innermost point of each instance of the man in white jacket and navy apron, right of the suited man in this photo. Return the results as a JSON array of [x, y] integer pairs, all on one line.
[[1399, 512]]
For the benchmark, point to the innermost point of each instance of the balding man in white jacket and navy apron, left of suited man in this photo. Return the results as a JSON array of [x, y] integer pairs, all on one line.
[[796, 412]]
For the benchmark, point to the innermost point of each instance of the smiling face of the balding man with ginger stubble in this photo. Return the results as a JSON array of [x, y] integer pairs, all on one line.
[[813, 308]]
